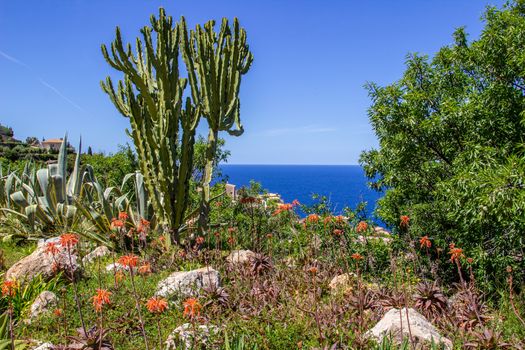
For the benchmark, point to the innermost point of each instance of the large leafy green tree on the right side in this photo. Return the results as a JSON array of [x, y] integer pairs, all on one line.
[[451, 137]]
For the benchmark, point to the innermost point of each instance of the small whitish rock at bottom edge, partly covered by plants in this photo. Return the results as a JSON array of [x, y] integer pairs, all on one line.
[[184, 336]]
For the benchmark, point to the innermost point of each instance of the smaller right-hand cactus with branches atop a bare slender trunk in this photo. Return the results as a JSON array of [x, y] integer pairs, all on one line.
[[215, 64]]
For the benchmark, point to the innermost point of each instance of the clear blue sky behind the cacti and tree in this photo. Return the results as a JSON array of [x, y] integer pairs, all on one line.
[[303, 101]]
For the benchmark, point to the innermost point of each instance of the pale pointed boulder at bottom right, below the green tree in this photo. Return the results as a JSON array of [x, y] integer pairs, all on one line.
[[397, 326]]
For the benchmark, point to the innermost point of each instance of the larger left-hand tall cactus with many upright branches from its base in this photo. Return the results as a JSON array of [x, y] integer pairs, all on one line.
[[151, 96]]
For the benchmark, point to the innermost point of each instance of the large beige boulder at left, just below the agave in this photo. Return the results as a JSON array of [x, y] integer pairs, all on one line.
[[42, 263]]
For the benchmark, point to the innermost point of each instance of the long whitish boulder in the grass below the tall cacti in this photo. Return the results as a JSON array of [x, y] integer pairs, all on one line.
[[188, 283]]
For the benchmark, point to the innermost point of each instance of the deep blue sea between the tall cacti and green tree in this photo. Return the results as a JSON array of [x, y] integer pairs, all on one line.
[[344, 185]]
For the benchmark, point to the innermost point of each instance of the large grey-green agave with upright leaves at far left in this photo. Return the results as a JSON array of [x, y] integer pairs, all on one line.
[[47, 200]]
